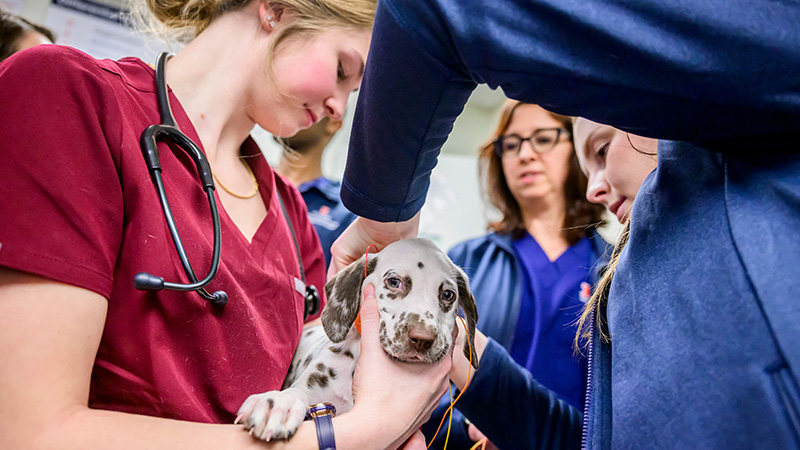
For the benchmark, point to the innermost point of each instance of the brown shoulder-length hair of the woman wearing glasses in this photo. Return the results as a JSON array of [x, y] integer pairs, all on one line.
[[581, 215]]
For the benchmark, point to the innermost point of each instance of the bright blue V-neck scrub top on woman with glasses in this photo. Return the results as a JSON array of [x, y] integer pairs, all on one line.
[[549, 308]]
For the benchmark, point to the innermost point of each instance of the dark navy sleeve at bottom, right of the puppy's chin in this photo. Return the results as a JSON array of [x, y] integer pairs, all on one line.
[[513, 410]]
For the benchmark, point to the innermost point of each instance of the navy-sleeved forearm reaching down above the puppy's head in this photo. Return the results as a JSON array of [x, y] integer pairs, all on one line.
[[408, 101]]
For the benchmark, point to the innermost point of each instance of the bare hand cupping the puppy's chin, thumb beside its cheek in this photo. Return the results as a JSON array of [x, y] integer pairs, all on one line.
[[394, 397]]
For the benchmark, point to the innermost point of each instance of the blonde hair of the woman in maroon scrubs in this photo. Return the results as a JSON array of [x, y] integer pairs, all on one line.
[[183, 20]]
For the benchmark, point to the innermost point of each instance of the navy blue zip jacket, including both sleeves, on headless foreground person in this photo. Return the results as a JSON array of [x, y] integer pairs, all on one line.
[[703, 314]]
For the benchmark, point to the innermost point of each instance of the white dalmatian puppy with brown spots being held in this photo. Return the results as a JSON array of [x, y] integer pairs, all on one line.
[[419, 291]]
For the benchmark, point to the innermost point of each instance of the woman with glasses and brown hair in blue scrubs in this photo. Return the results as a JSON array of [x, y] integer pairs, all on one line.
[[532, 272]]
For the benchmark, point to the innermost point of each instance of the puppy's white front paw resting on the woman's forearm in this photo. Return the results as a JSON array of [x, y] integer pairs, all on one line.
[[273, 415]]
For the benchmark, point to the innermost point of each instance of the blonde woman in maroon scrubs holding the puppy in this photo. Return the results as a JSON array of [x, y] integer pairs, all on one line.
[[89, 362]]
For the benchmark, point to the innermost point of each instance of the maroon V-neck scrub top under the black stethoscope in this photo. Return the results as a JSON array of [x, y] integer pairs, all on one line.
[[77, 205]]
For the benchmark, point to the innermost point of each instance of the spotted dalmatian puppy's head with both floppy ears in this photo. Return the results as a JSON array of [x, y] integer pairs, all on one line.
[[419, 291]]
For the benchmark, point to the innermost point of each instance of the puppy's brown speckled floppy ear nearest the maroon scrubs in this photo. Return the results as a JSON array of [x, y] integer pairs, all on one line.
[[344, 298]]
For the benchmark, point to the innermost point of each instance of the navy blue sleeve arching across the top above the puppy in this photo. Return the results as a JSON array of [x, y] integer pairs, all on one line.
[[707, 71]]
